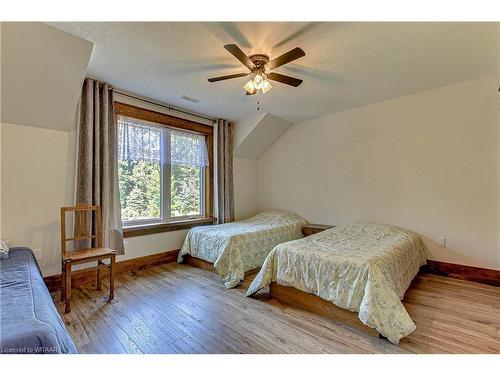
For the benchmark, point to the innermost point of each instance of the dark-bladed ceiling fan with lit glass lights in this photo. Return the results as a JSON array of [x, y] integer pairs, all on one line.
[[259, 67]]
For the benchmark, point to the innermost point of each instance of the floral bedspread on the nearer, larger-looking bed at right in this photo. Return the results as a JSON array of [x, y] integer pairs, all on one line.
[[362, 267]]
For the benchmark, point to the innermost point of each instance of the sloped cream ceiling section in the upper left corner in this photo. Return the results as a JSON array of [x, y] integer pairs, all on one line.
[[42, 74]]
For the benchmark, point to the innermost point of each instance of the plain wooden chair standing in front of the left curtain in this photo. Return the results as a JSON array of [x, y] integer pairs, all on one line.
[[83, 217]]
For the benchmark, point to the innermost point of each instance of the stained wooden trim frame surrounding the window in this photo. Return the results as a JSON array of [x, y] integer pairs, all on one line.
[[122, 109]]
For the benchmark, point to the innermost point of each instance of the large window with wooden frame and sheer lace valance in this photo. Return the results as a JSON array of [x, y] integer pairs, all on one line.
[[164, 167]]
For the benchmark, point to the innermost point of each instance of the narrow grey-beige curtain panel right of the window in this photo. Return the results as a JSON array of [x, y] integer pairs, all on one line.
[[225, 195]]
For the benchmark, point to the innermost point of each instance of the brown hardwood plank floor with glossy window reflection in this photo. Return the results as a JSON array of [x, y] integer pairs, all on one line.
[[181, 309]]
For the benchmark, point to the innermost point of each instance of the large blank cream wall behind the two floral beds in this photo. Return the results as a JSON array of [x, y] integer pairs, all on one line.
[[428, 162]]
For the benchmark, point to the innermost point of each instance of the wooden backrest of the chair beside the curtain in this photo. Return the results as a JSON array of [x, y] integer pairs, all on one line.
[[83, 224]]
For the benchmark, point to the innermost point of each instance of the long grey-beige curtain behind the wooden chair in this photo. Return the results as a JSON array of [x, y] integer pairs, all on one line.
[[97, 178]]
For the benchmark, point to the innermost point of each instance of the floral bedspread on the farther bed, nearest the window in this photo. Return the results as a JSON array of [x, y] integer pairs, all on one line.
[[235, 248]]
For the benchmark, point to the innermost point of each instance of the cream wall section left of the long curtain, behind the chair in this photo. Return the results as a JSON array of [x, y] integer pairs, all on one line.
[[37, 179]]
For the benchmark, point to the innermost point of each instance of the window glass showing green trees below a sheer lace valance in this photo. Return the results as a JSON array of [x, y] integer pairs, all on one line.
[[151, 188]]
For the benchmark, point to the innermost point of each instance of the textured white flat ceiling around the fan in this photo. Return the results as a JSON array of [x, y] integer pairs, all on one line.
[[347, 65]]
